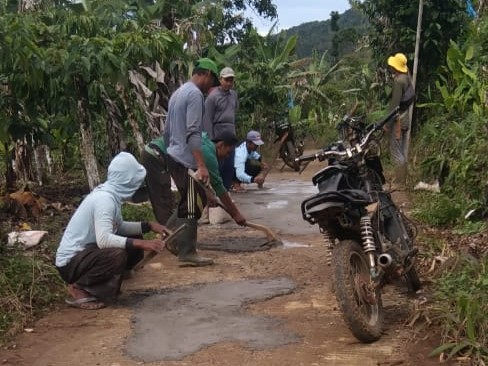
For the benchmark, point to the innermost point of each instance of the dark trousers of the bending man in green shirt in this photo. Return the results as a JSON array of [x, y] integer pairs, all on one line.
[[158, 181]]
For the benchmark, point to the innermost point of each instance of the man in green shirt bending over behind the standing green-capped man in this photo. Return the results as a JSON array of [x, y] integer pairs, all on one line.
[[158, 181]]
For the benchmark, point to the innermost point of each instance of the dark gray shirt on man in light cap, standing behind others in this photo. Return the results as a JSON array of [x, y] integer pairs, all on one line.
[[220, 112]]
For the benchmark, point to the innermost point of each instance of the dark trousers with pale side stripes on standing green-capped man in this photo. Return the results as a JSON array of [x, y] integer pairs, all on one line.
[[192, 196]]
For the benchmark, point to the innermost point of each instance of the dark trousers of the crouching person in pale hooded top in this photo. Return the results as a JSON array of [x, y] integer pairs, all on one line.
[[99, 271]]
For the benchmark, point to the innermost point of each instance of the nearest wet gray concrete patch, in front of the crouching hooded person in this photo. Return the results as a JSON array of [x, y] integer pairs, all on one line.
[[175, 324]]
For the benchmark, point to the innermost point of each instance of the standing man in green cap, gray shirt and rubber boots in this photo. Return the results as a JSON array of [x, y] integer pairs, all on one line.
[[183, 140]]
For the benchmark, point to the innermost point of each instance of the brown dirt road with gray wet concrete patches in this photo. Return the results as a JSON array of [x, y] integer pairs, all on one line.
[[270, 307]]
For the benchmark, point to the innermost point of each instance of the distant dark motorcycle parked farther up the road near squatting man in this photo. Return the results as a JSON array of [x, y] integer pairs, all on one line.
[[289, 148]]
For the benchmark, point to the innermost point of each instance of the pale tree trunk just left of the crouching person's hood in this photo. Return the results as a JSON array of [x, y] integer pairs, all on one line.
[[87, 147]]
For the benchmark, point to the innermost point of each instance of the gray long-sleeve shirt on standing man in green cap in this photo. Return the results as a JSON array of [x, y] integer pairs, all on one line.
[[183, 128]]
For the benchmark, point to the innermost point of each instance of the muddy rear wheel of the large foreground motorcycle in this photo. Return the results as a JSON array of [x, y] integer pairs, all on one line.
[[358, 296]]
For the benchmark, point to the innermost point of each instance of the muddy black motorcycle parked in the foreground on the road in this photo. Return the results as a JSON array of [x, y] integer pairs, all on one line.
[[369, 239]]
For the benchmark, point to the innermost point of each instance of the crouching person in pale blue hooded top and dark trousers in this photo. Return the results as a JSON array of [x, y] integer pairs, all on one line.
[[98, 246]]
